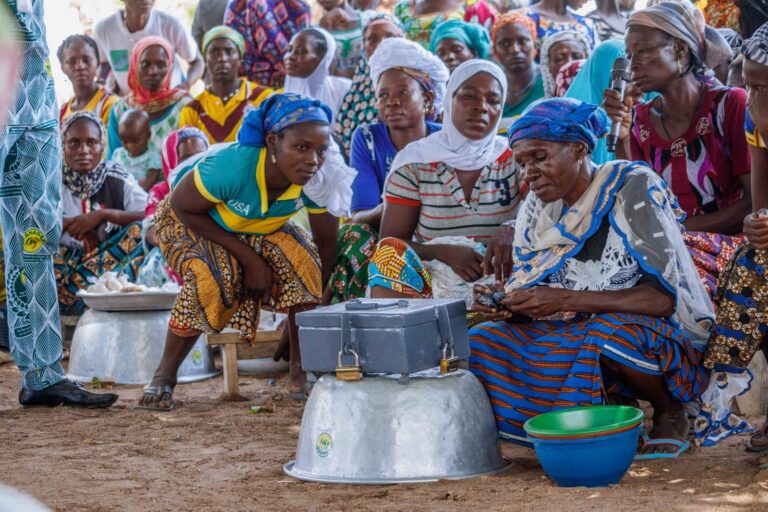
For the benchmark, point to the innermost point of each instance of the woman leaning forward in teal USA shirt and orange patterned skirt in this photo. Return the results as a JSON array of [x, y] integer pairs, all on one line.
[[227, 233]]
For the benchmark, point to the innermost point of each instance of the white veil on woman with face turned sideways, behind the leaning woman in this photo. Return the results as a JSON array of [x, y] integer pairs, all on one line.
[[320, 84]]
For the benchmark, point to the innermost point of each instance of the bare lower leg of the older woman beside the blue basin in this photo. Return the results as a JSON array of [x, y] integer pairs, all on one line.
[[669, 419]]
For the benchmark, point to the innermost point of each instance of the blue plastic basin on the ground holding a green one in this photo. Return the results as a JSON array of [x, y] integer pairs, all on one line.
[[590, 462]]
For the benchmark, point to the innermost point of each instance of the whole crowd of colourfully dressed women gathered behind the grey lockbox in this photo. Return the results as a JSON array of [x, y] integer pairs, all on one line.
[[448, 149]]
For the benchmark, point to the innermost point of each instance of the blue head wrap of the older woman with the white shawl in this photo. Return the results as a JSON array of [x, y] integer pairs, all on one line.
[[561, 120]]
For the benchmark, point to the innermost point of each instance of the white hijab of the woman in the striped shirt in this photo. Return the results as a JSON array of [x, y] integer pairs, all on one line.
[[449, 145]]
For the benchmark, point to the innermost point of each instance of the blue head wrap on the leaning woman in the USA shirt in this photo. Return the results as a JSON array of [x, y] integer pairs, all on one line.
[[277, 113]]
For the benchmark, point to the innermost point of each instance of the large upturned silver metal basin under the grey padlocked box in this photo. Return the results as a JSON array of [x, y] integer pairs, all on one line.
[[382, 430]]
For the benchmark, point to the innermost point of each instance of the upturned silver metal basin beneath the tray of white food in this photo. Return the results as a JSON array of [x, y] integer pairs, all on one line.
[[126, 347]]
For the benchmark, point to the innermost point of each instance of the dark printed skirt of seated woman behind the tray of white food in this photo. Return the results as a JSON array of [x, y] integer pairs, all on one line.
[[75, 268]]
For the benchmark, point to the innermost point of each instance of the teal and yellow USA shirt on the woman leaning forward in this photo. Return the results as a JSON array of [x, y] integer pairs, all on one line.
[[233, 178]]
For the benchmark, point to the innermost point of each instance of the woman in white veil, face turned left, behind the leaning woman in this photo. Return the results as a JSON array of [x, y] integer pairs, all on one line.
[[308, 68]]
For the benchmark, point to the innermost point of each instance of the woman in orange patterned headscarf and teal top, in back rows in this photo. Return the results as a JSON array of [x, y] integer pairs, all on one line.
[[514, 46]]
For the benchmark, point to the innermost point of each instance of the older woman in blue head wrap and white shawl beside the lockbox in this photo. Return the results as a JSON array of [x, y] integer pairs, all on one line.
[[603, 296]]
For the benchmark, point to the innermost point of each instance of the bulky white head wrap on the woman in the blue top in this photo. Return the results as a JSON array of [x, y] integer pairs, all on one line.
[[397, 52]]
